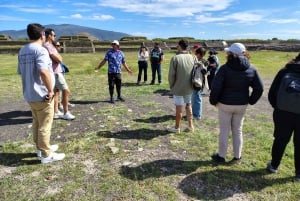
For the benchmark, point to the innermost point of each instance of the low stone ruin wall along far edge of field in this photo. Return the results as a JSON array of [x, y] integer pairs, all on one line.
[[86, 46]]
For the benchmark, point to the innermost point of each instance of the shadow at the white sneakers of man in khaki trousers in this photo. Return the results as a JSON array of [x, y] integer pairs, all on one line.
[[18, 159]]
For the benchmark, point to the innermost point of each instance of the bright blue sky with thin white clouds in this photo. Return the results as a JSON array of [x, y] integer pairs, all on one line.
[[202, 19]]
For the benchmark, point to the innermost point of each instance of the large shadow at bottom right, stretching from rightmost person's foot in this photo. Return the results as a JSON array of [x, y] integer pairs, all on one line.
[[220, 184]]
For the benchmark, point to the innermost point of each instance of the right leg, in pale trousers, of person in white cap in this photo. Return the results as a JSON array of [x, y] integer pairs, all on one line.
[[237, 130]]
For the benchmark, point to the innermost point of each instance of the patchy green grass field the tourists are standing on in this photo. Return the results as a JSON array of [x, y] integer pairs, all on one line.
[[123, 152]]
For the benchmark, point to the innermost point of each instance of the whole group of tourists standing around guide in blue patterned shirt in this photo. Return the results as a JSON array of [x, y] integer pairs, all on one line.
[[232, 87]]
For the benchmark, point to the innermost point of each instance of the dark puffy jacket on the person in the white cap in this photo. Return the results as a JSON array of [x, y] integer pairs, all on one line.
[[232, 82]]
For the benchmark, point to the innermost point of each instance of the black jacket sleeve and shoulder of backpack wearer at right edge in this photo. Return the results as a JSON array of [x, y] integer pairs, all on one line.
[[293, 67]]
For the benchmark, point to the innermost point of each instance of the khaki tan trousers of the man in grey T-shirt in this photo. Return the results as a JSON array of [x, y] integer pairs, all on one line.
[[42, 114]]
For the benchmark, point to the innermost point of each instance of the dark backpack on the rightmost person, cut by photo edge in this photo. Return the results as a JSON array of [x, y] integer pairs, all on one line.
[[288, 96]]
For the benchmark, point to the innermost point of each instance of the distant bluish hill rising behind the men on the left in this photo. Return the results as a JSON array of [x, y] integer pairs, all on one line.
[[69, 29]]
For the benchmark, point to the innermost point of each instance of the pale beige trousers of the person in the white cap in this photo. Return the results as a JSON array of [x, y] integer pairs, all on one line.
[[231, 118]]
